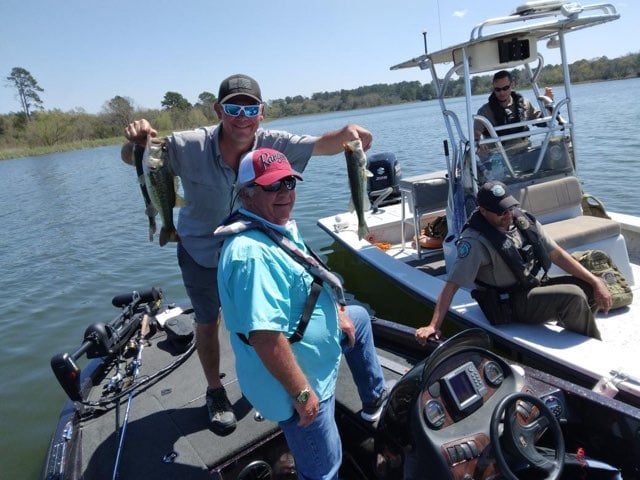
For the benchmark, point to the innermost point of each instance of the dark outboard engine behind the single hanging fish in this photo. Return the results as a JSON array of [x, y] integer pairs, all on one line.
[[384, 187]]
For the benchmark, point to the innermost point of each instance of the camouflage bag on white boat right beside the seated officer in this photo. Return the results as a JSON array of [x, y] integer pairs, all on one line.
[[601, 265]]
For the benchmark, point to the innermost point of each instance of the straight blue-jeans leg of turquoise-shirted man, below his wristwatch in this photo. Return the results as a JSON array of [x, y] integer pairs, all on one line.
[[317, 449]]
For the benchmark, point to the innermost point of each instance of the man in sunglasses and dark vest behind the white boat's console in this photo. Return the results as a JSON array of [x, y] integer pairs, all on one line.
[[505, 106]]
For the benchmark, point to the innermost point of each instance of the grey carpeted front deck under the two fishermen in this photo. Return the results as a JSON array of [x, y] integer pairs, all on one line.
[[168, 435]]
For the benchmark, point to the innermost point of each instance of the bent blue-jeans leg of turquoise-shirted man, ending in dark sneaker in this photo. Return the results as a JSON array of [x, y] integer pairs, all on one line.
[[362, 359]]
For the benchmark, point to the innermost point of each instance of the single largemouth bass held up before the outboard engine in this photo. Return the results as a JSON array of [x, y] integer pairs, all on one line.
[[358, 173]]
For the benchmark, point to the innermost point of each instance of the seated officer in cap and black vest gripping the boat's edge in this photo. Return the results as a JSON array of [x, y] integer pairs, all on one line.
[[500, 253]]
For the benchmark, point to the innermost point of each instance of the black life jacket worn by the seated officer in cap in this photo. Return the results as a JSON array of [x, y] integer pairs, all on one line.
[[517, 259]]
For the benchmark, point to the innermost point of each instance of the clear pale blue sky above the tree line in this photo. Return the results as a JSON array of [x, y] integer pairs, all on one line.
[[83, 53]]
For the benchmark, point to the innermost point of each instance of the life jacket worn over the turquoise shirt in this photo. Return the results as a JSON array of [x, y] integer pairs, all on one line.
[[238, 222]]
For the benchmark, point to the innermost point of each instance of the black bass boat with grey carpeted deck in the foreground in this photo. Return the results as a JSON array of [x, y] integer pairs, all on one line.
[[456, 410]]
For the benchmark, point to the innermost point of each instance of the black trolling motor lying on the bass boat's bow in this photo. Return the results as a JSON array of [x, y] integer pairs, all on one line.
[[102, 339]]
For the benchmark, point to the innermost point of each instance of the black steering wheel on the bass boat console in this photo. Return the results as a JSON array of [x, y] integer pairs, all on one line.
[[519, 436]]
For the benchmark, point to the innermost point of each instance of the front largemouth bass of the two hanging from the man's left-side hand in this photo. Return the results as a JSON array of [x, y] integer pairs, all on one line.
[[162, 186]]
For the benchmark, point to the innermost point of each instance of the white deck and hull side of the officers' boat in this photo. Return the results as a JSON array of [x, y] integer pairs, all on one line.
[[581, 359]]
